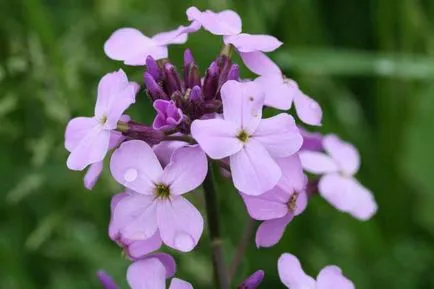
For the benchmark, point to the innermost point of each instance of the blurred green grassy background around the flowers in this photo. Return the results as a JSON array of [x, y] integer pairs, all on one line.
[[369, 63]]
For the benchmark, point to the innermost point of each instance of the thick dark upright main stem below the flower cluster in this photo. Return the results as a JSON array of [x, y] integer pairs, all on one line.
[[213, 217]]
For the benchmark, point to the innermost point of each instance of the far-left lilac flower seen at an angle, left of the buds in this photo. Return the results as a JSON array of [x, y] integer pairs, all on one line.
[[88, 138]]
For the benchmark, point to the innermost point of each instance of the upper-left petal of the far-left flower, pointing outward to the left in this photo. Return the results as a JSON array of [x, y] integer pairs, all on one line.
[[77, 129]]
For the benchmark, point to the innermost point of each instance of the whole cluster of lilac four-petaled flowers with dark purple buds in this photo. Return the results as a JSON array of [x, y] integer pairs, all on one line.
[[205, 121]]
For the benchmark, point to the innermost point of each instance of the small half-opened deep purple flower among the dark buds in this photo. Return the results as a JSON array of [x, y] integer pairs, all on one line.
[[168, 115]]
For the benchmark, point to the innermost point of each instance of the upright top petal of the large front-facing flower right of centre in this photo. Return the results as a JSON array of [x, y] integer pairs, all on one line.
[[242, 104]]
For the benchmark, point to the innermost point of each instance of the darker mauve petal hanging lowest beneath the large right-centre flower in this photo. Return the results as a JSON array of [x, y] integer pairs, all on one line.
[[270, 232]]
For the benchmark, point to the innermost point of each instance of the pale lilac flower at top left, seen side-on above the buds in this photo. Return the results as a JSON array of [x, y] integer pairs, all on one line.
[[132, 47]]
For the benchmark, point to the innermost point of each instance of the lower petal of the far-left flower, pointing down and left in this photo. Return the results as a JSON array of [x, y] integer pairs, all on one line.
[[91, 149]]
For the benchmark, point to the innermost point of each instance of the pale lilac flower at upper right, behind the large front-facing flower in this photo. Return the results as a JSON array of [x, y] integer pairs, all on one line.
[[281, 92]]
